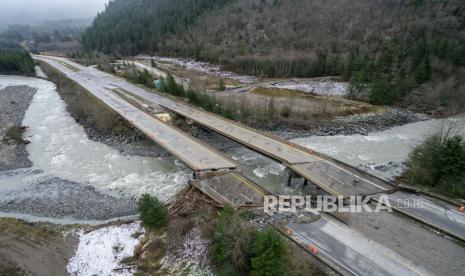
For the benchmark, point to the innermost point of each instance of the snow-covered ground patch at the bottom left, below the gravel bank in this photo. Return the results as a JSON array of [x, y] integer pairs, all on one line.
[[101, 251]]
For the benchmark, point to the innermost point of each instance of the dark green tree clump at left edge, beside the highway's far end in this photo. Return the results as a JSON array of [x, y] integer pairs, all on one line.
[[14, 60]]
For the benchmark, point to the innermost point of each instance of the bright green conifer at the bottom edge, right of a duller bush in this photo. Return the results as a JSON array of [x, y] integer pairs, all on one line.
[[269, 253]]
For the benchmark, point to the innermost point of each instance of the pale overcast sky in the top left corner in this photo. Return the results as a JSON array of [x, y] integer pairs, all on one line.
[[30, 11]]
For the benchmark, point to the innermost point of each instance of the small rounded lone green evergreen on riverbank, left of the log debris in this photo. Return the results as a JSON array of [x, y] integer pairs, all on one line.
[[152, 212]]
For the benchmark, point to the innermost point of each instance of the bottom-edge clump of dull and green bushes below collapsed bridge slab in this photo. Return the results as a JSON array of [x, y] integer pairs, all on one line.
[[238, 249]]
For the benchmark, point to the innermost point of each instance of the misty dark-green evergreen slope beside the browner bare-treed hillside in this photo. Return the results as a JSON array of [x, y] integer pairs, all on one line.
[[128, 27]]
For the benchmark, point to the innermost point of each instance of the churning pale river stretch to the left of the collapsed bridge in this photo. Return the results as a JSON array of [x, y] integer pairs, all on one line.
[[60, 148]]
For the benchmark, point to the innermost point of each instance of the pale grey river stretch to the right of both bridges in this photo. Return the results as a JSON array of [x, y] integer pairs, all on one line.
[[380, 148]]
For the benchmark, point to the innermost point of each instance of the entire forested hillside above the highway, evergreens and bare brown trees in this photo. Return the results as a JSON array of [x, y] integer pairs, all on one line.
[[408, 52]]
